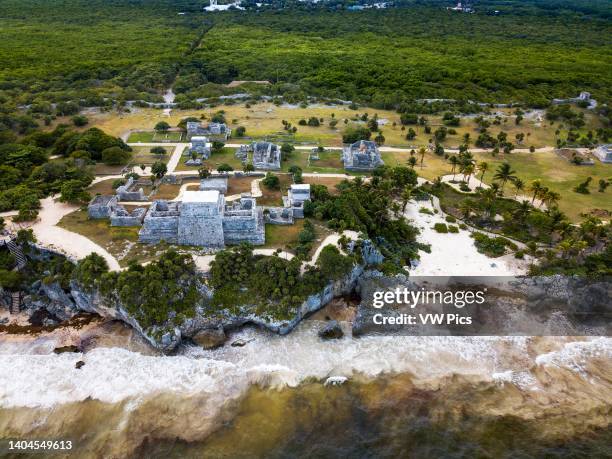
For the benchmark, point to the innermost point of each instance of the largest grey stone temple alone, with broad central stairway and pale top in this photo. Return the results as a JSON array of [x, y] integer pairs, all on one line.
[[203, 219]]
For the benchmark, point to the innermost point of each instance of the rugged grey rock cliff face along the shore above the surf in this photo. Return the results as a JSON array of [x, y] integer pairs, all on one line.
[[581, 298]]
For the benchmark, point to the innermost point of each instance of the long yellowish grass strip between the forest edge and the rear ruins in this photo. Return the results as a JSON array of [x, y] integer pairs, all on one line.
[[263, 121]]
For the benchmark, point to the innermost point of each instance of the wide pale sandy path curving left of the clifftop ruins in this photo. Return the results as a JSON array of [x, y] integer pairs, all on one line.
[[72, 244]]
